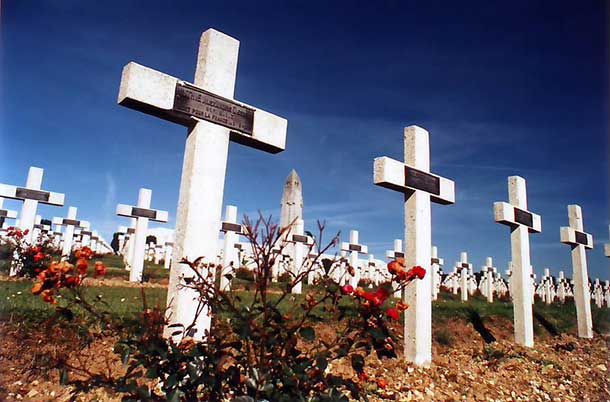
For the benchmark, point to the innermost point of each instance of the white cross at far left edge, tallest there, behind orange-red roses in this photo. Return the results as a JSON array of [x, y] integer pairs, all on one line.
[[31, 195]]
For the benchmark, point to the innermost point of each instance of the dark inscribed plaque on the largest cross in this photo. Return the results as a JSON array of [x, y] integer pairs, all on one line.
[[216, 109]]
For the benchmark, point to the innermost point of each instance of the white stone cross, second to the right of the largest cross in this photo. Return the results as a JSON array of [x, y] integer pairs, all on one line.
[[521, 223]]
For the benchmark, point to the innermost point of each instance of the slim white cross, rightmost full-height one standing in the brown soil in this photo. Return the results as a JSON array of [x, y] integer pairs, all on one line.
[[575, 236]]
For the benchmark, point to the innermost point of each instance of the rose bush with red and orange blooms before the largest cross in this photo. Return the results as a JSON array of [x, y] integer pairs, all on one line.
[[265, 343]]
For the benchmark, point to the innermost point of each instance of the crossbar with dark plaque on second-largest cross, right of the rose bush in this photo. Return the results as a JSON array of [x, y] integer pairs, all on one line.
[[397, 176]]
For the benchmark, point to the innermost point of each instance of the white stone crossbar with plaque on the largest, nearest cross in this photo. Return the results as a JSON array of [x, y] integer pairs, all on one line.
[[161, 95]]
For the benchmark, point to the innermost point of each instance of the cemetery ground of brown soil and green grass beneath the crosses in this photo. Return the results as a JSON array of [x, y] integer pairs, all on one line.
[[561, 367]]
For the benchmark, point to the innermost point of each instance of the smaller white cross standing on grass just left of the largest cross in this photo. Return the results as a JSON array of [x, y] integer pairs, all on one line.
[[143, 214]]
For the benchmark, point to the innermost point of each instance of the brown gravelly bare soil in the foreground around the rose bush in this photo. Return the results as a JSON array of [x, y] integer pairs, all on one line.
[[465, 368]]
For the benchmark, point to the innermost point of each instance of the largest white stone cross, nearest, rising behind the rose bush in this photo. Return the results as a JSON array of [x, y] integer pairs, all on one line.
[[213, 118]]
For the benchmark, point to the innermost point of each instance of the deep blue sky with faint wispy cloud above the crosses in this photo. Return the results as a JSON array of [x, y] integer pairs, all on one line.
[[504, 88]]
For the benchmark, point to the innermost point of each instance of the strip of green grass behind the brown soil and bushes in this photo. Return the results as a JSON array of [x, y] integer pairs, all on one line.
[[126, 303]]
